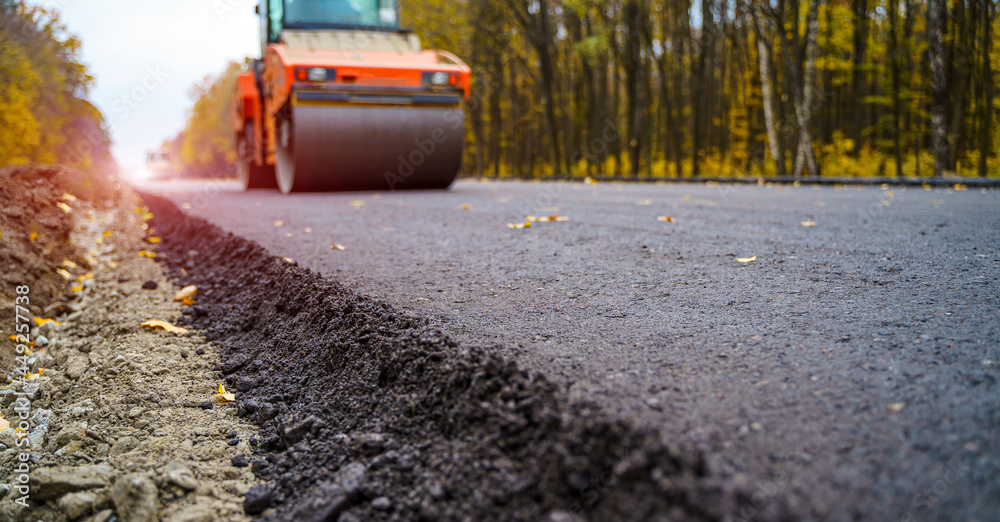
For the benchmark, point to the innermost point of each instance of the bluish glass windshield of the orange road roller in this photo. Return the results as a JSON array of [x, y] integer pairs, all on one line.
[[321, 14]]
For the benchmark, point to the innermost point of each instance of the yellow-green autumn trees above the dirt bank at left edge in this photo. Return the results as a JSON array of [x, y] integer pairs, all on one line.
[[44, 114]]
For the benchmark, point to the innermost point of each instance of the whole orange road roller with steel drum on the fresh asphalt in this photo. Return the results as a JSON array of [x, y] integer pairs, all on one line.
[[344, 99]]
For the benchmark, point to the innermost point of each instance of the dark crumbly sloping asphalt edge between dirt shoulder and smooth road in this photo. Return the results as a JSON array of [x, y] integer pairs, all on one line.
[[471, 432]]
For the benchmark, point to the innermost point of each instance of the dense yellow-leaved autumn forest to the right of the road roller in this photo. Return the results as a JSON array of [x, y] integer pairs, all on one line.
[[713, 87]]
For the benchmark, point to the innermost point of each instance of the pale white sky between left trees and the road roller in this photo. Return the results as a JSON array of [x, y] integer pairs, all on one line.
[[146, 56]]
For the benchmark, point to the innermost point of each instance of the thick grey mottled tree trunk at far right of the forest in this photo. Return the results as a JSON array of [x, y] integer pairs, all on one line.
[[936, 15]]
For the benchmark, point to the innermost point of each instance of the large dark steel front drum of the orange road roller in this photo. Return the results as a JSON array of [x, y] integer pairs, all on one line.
[[344, 148]]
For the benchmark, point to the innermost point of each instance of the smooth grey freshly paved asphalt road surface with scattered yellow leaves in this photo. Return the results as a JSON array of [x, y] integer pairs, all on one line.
[[850, 369]]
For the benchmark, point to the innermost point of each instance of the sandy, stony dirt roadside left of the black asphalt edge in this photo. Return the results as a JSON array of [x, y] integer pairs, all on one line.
[[123, 423]]
